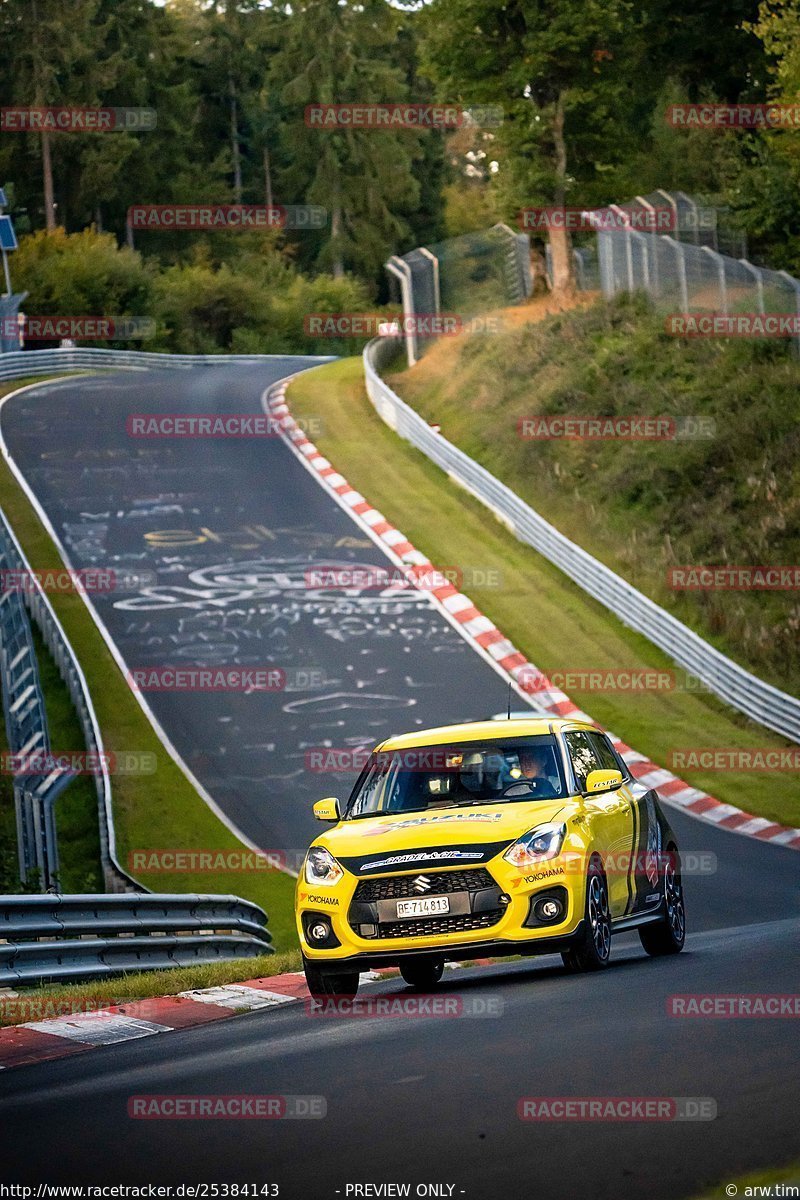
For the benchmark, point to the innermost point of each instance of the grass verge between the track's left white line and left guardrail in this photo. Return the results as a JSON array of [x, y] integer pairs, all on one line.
[[159, 812]]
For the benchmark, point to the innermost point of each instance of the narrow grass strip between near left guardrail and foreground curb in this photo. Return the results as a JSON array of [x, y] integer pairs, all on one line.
[[40, 1004]]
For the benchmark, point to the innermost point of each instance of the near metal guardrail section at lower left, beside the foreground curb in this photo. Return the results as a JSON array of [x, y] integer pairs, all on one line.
[[68, 938]]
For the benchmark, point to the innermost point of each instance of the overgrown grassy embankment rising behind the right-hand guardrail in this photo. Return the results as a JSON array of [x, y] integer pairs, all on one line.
[[643, 507]]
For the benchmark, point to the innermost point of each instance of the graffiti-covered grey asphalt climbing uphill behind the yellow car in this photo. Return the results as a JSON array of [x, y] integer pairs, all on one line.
[[231, 527]]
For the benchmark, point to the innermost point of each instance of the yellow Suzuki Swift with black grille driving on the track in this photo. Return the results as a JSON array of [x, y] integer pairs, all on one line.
[[524, 837]]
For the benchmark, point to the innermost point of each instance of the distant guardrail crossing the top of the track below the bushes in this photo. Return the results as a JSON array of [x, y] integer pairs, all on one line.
[[21, 364]]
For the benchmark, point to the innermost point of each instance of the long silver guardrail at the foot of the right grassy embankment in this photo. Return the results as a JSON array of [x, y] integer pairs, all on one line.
[[760, 701]]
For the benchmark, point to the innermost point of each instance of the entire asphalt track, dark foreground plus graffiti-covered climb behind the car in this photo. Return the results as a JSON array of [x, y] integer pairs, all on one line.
[[420, 1101]]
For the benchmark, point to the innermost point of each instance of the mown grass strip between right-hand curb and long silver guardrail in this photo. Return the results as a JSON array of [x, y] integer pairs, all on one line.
[[546, 616]]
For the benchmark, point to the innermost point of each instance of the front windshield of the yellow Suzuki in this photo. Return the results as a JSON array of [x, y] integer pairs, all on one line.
[[442, 777]]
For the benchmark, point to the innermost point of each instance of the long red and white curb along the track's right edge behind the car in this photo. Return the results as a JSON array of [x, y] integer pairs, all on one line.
[[489, 640]]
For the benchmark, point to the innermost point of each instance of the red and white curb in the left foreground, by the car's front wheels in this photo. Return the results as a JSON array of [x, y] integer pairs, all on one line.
[[21, 1046]]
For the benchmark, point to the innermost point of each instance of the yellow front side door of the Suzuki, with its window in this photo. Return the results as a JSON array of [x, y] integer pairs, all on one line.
[[611, 814]]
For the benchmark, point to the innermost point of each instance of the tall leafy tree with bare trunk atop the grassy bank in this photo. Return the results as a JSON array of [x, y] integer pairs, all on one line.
[[552, 67]]
